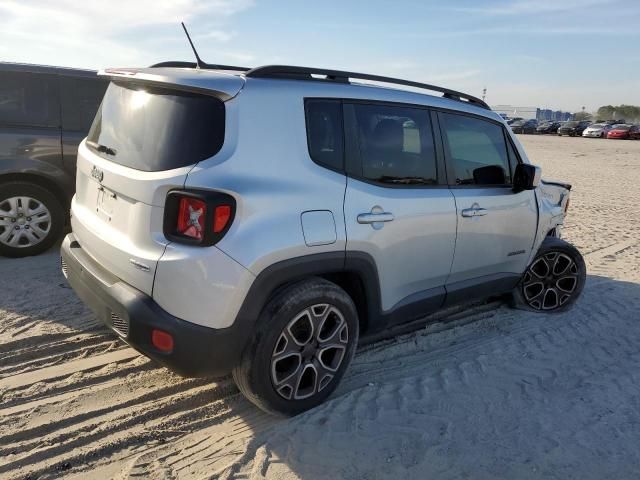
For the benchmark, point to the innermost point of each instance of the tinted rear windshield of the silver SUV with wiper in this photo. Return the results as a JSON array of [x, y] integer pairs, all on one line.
[[153, 129]]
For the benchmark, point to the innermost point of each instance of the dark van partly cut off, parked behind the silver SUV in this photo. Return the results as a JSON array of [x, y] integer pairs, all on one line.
[[44, 114]]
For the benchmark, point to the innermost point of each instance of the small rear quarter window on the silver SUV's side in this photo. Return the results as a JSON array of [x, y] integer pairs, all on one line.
[[324, 133]]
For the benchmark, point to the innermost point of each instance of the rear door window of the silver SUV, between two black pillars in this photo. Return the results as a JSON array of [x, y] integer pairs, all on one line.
[[396, 144]]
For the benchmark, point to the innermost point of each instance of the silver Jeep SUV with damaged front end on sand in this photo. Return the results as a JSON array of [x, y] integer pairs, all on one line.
[[260, 221]]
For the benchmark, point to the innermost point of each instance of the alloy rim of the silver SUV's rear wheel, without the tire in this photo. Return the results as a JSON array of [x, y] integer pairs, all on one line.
[[309, 352]]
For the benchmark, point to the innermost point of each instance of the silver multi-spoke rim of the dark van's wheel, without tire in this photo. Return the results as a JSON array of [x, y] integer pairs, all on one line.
[[24, 222]]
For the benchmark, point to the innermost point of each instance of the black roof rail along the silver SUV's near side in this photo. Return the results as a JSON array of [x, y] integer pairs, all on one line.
[[305, 73]]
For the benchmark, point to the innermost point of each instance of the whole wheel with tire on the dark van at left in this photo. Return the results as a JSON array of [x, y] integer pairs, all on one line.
[[31, 219]]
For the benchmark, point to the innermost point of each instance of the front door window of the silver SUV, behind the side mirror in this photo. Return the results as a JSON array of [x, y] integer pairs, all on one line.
[[476, 150]]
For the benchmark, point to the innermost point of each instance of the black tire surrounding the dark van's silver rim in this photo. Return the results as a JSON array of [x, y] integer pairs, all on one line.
[[51, 203]]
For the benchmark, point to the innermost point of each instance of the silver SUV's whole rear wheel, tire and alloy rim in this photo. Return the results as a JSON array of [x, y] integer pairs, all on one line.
[[305, 339]]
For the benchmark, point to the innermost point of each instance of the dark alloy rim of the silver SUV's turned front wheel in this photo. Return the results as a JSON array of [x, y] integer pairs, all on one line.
[[550, 281]]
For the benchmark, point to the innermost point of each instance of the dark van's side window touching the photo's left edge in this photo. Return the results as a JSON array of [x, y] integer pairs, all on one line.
[[29, 99]]
